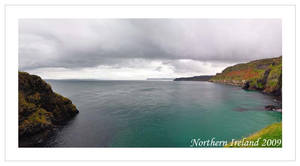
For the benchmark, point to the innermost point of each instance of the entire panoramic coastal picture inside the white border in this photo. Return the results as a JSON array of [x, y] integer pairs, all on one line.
[[160, 83]]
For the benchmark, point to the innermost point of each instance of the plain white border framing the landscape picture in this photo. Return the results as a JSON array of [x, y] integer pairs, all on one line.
[[284, 12]]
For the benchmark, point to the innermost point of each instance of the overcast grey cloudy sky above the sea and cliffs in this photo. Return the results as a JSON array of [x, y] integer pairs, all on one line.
[[137, 49]]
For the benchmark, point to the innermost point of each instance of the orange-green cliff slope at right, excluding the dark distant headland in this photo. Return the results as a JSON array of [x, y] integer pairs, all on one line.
[[263, 75]]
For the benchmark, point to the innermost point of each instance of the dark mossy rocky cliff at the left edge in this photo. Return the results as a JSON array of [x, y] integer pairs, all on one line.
[[40, 109]]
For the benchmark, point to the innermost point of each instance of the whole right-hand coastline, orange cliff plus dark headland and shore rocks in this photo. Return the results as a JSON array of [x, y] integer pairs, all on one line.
[[263, 75]]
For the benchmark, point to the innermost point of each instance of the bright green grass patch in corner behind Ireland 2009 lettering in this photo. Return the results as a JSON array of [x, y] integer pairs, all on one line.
[[271, 136]]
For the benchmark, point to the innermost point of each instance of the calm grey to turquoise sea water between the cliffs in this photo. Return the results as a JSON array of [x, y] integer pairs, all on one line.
[[158, 113]]
